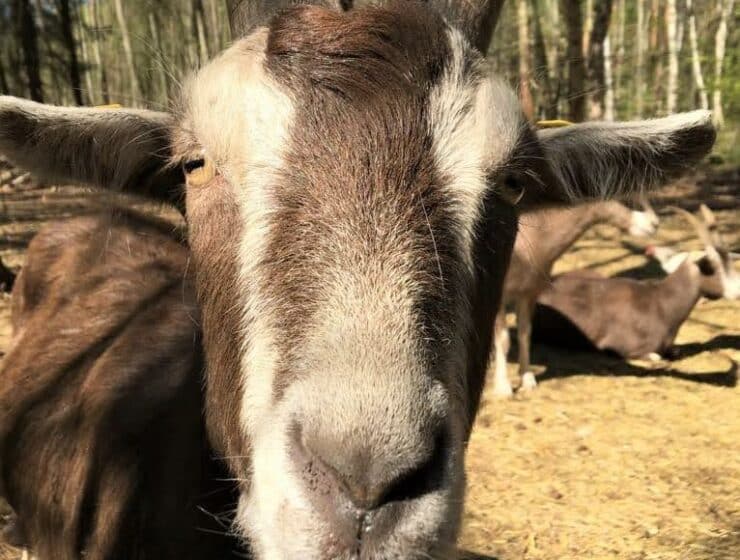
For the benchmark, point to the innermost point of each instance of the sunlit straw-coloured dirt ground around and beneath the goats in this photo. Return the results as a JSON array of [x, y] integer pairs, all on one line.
[[606, 459]]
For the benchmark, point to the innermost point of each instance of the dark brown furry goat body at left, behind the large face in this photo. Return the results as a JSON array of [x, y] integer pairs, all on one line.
[[104, 447]]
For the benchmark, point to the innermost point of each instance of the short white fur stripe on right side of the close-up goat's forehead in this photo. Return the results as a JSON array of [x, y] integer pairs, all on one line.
[[475, 124]]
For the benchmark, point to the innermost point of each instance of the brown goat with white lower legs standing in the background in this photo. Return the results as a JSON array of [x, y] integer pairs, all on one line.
[[543, 237]]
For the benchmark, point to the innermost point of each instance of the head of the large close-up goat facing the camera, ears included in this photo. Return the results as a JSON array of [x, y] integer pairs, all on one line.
[[352, 182]]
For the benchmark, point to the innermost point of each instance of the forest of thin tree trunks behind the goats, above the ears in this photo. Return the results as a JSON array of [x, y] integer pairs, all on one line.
[[569, 59]]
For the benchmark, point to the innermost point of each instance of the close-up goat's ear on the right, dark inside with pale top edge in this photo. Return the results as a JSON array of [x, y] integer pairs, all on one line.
[[603, 160]]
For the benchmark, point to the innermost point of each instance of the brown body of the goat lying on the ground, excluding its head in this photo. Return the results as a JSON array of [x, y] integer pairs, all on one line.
[[631, 318]]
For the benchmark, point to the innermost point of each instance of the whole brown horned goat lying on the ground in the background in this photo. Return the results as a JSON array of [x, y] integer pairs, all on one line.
[[632, 318]]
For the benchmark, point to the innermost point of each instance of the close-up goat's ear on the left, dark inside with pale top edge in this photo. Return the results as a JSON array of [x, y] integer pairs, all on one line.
[[120, 149]]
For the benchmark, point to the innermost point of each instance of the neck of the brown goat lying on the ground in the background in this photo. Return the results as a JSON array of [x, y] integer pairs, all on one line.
[[678, 293]]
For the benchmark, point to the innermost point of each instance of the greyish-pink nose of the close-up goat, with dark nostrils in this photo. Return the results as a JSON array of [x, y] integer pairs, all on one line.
[[349, 482]]
